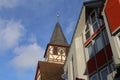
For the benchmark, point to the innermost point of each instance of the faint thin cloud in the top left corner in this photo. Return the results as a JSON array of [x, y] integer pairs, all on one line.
[[9, 3]]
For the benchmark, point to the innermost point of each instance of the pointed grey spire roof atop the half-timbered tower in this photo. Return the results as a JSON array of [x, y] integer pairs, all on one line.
[[58, 37]]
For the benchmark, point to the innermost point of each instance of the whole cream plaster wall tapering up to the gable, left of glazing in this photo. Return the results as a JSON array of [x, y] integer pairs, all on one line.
[[76, 51]]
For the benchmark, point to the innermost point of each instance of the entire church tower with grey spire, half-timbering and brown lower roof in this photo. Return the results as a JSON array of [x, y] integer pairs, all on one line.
[[55, 56]]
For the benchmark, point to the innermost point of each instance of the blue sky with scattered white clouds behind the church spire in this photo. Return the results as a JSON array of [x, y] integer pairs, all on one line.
[[25, 29]]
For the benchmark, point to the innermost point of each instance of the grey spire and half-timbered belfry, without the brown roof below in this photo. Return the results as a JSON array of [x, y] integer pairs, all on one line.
[[57, 48]]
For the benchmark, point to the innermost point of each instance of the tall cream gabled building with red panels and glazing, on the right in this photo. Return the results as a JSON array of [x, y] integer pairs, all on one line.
[[94, 52]]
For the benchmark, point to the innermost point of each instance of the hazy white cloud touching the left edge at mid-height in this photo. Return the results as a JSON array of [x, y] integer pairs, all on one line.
[[10, 33]]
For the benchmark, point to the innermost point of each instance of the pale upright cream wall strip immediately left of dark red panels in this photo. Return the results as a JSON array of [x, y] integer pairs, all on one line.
[[80, 58]]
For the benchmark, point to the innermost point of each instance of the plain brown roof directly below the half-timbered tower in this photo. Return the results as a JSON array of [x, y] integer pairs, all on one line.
[[50, 71]]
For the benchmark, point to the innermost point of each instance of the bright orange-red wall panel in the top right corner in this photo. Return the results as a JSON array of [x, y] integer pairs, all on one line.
[[112, 10]]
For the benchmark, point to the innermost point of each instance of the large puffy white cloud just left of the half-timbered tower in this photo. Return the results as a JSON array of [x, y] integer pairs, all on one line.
[[27, 56]]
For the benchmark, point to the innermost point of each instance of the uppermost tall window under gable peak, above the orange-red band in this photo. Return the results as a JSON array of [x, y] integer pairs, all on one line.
[[94, 21]]
